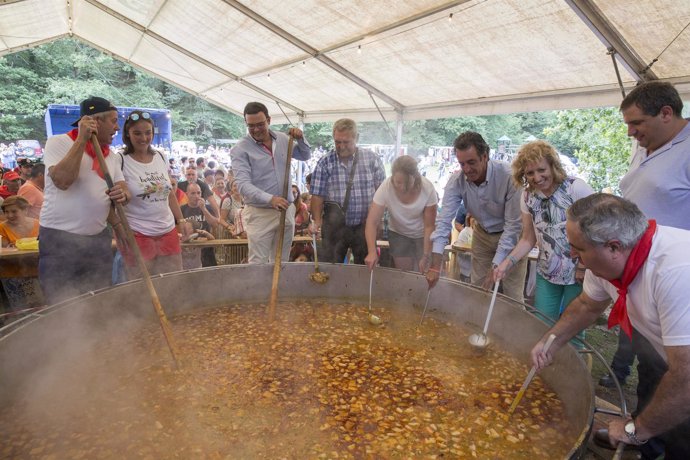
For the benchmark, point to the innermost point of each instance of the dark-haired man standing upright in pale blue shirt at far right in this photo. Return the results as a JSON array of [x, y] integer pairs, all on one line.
[[659, 184]]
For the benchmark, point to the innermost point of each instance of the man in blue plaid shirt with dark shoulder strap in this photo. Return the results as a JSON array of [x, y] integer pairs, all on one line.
[[329, 186]]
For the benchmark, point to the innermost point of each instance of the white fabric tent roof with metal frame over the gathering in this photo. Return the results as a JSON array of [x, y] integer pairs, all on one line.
[[321, 60]]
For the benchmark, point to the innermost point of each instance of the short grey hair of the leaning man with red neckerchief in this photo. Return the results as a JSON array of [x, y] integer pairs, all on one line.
[[602, 217]]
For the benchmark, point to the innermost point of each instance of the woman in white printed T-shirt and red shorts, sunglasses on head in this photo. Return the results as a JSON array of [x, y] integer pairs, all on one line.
[[154, 213]]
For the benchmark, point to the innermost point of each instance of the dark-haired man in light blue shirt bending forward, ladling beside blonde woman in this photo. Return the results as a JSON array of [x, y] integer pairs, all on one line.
[[488, 192]]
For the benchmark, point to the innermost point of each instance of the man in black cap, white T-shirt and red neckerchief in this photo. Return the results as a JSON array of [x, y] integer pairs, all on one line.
[[75, 254]]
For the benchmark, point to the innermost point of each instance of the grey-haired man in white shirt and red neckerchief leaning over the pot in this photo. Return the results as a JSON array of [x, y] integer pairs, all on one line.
[[645, 267]]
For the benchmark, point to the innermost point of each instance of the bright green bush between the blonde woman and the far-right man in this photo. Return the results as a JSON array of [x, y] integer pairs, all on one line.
[[600, 143]]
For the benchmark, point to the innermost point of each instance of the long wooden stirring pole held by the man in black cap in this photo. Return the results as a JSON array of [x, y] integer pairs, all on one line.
[[137, 255]]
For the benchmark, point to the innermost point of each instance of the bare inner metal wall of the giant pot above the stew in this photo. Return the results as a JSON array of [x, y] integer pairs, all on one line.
[[49, 339]]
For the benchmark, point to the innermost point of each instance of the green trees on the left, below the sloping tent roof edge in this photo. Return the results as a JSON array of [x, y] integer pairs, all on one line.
[[67, 72]]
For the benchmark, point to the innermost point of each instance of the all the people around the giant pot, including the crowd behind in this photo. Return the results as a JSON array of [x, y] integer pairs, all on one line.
[[594, 248]]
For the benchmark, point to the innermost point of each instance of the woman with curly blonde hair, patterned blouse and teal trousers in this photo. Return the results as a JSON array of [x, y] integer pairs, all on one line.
[[548, 194]]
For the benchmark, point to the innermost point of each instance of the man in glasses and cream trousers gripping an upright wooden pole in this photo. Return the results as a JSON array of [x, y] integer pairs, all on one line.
[[259, 161]]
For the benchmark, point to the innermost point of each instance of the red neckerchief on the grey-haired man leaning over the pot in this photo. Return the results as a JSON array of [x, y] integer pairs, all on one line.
[[637, 258]]
